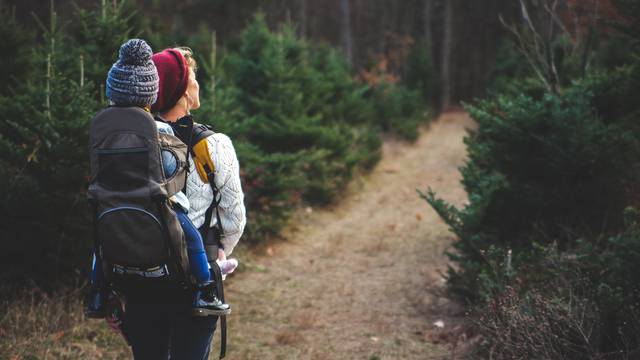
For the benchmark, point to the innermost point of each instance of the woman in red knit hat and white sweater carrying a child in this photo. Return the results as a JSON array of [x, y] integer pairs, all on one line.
[[156, 323]]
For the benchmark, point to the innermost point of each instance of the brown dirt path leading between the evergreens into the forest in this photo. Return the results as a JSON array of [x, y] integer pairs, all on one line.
[[357, 281]]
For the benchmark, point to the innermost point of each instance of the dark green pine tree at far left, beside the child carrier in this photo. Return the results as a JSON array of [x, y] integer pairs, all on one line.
[[45, 166]]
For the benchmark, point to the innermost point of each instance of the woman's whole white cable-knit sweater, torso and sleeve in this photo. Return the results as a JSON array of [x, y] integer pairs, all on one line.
[[227, 179]]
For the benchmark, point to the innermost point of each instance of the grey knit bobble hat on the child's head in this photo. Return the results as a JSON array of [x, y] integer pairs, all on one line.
[[133, 79]]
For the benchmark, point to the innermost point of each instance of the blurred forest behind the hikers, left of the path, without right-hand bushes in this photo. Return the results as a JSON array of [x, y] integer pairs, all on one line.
[[299, 85]]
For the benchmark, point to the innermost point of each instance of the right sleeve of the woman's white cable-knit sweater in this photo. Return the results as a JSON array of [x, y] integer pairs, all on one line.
[[227, 178]]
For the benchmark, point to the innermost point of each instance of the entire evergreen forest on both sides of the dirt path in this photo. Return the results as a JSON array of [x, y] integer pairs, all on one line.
[[547, 251]]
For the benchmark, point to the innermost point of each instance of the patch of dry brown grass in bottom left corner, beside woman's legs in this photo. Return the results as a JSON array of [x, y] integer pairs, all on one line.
[[37, 325]]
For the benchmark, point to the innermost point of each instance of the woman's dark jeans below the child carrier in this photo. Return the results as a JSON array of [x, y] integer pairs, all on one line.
[[159, 326]]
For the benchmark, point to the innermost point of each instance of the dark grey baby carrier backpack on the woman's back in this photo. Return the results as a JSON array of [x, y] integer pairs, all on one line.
[[136, 231]]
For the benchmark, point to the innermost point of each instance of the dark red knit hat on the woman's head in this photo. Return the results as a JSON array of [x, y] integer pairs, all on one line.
[[173, 71]]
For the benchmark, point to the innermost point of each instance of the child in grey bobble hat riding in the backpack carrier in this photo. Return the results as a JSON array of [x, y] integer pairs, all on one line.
[[125, 89]]
